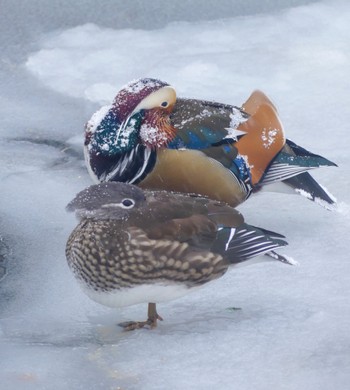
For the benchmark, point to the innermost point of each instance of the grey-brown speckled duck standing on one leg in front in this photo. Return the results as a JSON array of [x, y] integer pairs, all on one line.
[[140, 246]]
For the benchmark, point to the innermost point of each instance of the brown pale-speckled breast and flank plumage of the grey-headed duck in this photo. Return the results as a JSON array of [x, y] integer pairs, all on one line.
[[107, 256]]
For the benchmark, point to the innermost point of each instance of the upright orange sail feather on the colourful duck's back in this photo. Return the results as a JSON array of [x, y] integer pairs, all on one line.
[[265, 136]]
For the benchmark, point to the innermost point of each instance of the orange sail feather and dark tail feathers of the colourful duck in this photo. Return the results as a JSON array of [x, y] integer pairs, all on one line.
[[272, 158]]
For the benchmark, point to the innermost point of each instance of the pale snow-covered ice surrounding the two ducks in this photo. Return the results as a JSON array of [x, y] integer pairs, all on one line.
[[292, 329]]
